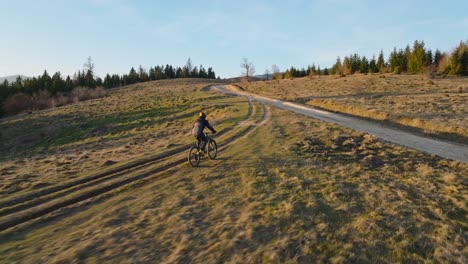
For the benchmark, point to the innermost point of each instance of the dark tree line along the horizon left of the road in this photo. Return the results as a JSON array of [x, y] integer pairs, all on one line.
[[57, 84]]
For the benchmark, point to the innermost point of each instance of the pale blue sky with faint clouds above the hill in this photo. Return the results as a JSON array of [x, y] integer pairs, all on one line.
[[59, 35]]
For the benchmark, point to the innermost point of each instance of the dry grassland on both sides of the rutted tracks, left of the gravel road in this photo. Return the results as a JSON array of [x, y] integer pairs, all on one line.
[[294, 190]]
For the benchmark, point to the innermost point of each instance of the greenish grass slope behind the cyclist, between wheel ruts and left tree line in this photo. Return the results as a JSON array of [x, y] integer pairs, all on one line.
[[48, 147]]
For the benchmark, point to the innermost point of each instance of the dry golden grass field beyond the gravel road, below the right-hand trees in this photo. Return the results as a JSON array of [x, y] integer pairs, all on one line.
[[435, 106]]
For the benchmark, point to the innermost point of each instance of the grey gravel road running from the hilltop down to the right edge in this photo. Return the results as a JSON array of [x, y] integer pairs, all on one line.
[[440, 148]]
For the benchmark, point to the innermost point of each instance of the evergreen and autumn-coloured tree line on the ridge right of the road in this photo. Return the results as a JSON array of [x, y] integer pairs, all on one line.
[[410, 60]]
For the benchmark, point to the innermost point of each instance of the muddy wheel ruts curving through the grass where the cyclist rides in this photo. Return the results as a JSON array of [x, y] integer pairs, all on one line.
[[48, 202]]
